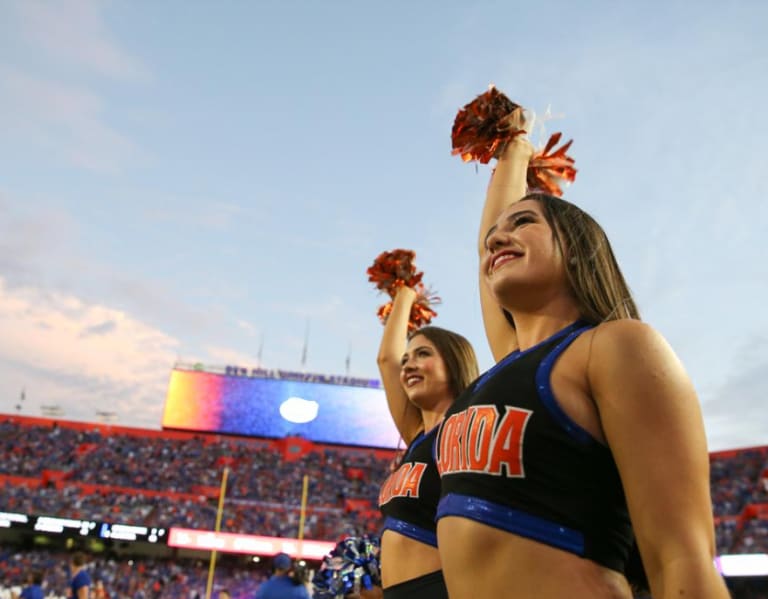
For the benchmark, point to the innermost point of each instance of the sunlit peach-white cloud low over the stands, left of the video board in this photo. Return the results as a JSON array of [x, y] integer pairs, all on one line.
[[82, 356]]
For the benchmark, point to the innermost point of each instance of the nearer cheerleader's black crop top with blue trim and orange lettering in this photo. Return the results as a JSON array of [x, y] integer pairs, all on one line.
[[510, 457]]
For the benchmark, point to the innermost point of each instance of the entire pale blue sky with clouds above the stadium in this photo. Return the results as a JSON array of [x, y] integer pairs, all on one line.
[[186, 180]]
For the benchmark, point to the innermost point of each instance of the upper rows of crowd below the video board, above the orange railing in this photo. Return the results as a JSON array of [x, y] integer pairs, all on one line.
[[257, 470]]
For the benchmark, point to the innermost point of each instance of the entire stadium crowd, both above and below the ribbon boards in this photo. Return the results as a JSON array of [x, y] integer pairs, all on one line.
[[165, 481]]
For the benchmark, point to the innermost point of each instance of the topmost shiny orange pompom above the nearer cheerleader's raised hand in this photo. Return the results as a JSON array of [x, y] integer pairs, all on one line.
[[482, 128]]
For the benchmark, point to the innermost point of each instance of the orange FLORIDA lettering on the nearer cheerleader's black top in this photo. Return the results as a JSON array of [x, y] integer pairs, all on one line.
[[478, 440]]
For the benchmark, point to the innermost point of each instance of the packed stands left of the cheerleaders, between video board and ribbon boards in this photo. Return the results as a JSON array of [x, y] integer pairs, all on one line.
[[172, 479]]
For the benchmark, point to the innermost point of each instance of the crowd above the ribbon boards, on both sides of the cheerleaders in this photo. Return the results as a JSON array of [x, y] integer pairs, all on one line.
[[264, 489]]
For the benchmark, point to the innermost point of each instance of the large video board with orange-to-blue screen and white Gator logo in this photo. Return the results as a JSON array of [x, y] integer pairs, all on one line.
[[260, 407]]
